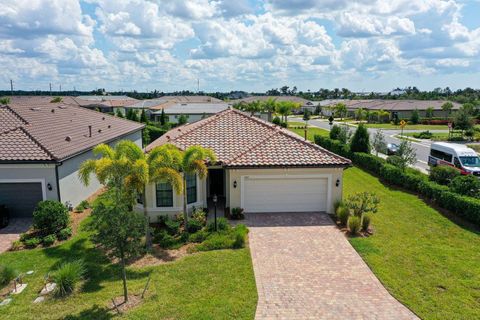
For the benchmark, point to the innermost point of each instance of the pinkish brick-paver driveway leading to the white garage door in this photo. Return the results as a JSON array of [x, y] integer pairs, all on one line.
[[305, 268]]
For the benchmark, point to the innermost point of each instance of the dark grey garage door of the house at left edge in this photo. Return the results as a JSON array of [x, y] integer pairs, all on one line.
[[21, 198]]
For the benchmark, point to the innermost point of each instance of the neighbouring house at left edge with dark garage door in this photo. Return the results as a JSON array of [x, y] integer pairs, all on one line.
[[42, 146]]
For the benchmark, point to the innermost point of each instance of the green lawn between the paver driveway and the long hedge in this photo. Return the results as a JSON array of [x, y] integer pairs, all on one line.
[[429, 263]]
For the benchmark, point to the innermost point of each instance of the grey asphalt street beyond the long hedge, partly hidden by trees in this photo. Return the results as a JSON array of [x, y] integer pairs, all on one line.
[[422, 148]]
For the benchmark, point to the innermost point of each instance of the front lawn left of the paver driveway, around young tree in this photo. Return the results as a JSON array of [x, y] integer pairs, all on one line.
[[207, 285]]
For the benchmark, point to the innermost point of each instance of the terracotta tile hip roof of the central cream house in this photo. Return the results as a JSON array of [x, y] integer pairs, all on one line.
[[240, 140]]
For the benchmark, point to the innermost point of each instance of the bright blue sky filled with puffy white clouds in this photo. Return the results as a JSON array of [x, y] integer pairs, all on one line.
[[239, 44]]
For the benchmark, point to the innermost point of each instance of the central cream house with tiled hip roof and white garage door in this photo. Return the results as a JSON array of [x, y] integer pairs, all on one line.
[[261, 168]]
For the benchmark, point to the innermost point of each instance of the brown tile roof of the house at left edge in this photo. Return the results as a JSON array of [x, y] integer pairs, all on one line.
[[55, 131]]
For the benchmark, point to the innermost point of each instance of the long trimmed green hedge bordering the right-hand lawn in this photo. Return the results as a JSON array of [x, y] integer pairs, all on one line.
[[410, 179]]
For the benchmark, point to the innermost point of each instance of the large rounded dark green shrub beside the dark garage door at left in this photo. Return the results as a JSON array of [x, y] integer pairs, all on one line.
[[50, 216]]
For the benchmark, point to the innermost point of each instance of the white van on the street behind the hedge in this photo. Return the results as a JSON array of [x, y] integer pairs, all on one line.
[[455, 155]]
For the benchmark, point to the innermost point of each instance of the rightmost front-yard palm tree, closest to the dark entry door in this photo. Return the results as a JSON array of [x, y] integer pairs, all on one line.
[[194, 161]]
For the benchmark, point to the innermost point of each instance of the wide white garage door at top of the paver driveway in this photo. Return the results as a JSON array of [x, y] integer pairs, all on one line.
[[285, 194]]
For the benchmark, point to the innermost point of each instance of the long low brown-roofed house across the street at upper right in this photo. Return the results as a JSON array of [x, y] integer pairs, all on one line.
[[403, 108]]
